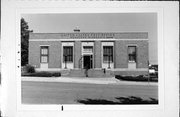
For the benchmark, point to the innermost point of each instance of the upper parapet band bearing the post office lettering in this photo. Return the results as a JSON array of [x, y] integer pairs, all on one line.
[[90, 35]]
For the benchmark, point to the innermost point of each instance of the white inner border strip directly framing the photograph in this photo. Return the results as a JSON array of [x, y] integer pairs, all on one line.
[[95, 107]]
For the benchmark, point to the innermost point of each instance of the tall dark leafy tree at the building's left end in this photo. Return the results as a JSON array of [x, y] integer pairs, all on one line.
[[24, 41]]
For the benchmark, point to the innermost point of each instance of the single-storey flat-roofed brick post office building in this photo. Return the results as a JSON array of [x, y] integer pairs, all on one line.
[[124, 53]]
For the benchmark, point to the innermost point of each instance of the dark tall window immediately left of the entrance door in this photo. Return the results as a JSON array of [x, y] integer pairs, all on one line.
[[68, 53]]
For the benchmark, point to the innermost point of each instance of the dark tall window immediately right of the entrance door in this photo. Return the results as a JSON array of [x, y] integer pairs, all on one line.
[[107, 53]]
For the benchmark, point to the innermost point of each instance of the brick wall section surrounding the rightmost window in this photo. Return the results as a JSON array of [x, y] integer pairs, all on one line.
[[121, 53]]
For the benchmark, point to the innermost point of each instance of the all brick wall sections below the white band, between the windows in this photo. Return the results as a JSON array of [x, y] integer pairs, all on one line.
[[120, 53]]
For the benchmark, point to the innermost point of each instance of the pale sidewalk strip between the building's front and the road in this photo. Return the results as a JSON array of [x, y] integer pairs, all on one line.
[[111, 80]]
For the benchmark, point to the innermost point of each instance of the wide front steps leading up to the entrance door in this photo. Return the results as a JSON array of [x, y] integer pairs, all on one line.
[[92, 73]]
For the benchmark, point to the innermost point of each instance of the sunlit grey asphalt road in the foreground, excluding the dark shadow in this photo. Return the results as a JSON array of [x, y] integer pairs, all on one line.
[[70, 93]]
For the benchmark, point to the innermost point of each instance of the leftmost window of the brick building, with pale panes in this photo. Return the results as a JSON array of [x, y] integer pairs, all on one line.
[[44, 54]]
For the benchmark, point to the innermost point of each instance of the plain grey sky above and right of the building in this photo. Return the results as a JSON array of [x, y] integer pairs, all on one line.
[[98, 22]]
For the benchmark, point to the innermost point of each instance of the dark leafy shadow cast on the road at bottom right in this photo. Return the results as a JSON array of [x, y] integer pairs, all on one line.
[[120, 100]]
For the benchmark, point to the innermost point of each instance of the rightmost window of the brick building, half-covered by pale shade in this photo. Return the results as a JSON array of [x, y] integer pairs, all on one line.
[[132, 53]]
